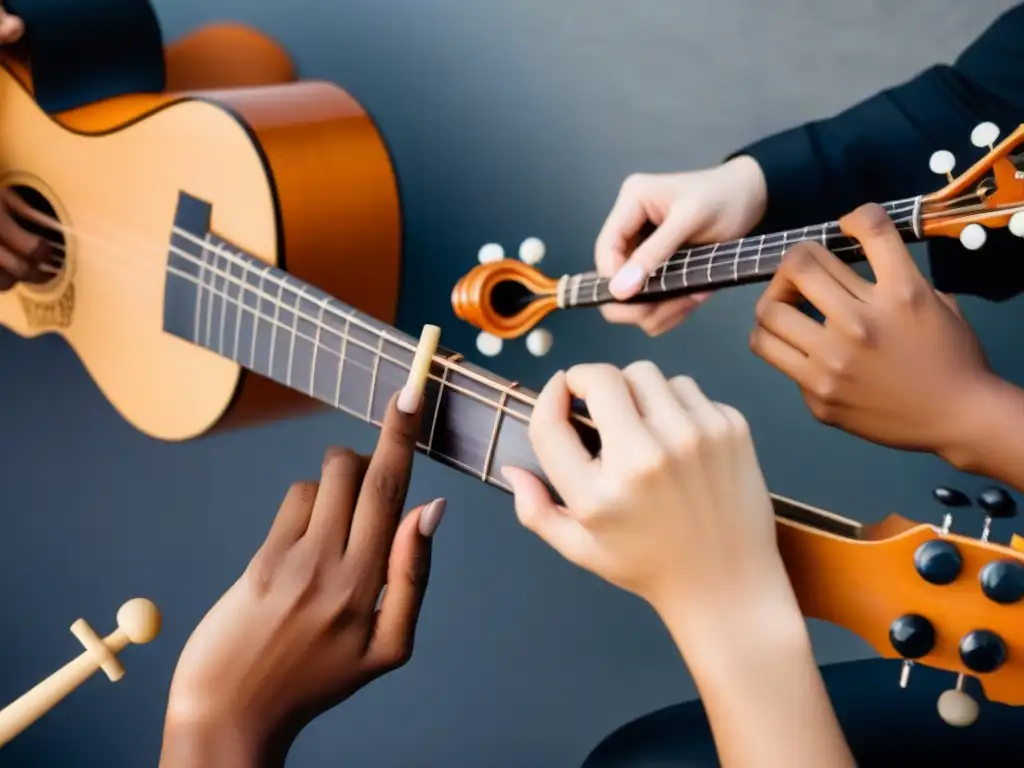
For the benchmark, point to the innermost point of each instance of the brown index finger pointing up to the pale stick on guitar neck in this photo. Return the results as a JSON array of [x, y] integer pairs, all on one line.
[[383, 496]]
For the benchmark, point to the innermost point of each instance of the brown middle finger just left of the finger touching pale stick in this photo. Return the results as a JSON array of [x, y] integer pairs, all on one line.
[[331, 519]]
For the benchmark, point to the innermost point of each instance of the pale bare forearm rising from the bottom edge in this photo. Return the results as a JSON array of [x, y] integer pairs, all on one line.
[[760, 686]]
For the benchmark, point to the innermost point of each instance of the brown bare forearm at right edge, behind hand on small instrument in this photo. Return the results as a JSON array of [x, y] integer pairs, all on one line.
[[990, 433]]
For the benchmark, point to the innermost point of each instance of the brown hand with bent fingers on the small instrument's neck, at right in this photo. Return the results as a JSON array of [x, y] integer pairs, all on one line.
[[894, 363]]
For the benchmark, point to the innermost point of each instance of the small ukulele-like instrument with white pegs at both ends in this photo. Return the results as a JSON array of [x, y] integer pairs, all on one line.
[[507, 298]]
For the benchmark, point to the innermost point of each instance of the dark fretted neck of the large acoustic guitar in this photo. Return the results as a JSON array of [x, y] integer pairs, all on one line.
[[271, 323]]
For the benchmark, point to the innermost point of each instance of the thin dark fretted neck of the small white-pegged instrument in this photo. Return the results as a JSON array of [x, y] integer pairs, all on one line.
[[732, 264]]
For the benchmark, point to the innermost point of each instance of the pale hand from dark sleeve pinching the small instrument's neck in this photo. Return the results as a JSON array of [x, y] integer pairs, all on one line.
[[707, 206]]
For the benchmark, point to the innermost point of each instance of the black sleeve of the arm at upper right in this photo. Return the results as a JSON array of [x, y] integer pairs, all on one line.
[[879, 151]]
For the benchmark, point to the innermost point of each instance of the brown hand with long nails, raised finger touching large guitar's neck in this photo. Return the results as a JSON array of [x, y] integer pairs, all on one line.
[[298, 633]]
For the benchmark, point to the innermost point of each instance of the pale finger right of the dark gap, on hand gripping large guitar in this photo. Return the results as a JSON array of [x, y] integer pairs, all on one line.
[[612, 408]]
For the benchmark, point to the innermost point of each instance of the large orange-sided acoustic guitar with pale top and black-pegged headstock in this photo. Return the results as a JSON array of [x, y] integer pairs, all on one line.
[[232, 257]]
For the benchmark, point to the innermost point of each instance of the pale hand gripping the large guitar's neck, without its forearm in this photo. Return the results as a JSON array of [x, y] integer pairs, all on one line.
[[675, 509]]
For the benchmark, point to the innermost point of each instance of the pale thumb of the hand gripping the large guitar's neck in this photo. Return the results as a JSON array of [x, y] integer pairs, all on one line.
[[538, 513]]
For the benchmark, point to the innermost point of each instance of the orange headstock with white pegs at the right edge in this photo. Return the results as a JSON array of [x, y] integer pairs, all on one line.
[[990, 195]]
